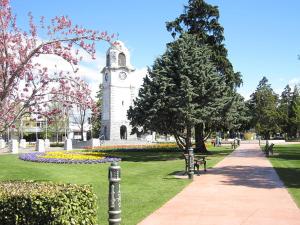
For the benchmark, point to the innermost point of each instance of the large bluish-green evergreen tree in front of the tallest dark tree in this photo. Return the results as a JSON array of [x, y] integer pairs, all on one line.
[[183, 89]]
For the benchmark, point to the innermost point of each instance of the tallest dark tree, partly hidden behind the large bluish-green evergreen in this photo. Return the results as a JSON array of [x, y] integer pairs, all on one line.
[[202, 20]]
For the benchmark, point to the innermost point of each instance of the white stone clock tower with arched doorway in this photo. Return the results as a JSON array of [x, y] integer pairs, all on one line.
[[118, 93]]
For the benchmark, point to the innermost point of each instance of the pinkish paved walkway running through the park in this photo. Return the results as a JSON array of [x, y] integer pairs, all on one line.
[[241, 189]]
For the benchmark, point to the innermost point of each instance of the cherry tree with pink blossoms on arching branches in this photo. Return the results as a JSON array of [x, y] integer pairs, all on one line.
[[26, 86]]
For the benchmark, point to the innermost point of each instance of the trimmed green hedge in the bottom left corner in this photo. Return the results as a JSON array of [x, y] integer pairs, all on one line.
[[37, 203]]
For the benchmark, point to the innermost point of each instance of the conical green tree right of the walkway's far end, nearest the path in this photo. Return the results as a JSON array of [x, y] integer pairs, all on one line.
[[263, 104]]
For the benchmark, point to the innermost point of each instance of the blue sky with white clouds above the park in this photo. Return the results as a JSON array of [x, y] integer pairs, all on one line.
[[262, 36]]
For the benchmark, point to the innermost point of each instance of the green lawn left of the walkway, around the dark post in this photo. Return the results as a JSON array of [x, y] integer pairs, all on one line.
[[147, 180]]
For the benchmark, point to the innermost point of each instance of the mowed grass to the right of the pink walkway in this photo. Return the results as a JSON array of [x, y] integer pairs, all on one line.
[[286, 161]]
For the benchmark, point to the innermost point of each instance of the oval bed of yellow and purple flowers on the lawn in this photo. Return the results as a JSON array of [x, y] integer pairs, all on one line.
[[68, 157]]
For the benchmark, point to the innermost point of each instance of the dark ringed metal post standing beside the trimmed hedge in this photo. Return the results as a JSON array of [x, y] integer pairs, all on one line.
[[114, 196]]
